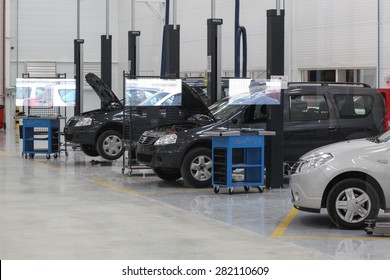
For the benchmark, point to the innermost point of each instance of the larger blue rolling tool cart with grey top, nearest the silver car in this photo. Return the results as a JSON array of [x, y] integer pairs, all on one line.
[[238, 158]]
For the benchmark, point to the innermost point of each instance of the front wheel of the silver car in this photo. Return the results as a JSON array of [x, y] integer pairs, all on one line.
[[351, 202]]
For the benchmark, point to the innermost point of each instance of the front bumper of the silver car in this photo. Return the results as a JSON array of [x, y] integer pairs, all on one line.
[[307, 189]]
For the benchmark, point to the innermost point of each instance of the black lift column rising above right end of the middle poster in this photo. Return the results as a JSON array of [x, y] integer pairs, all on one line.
[[172, 50]]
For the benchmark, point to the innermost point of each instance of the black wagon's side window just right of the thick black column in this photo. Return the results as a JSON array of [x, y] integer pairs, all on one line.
[[308, 108]]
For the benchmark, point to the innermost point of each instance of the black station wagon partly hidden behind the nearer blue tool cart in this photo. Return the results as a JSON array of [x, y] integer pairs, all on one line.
[[314, 115]]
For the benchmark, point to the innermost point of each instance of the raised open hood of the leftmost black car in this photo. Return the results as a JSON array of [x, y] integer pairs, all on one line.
[[106, 95]]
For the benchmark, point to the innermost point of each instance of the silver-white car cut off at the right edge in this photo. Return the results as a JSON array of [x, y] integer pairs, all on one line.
[[351, 179]]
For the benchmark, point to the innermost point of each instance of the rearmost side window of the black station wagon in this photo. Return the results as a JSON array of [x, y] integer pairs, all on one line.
[[352, 106]]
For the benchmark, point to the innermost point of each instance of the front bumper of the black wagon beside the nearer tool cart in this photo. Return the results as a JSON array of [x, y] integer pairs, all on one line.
[[167, 156]]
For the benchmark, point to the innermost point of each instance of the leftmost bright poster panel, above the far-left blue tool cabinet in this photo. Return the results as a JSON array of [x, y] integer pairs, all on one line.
[[45, 92]]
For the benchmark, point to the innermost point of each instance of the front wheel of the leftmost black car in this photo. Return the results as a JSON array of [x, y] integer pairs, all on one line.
[[109, 145]]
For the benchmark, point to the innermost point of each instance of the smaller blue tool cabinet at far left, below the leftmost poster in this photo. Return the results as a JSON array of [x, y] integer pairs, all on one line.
[[43, 130]]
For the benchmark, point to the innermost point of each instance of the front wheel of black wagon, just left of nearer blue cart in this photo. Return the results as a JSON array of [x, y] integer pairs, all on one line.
[[196, 168]]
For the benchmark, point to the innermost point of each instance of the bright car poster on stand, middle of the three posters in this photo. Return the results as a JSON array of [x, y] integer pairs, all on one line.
[[153, 92]]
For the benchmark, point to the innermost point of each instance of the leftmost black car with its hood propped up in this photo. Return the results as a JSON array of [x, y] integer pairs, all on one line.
[[102, 131]]
